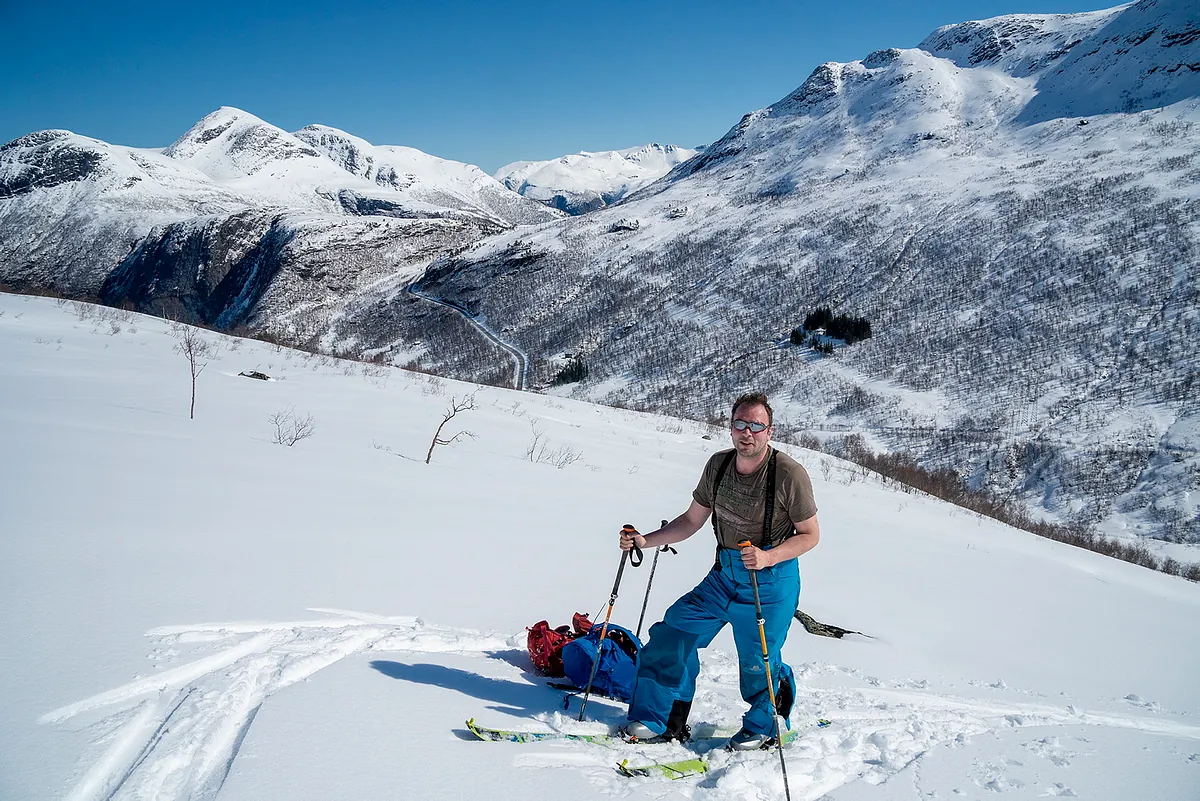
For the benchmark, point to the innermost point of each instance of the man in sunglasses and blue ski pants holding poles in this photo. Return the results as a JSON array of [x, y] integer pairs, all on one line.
[[759, 496]]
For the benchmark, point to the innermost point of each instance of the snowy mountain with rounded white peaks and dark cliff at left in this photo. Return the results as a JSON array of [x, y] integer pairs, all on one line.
[[238, 218]]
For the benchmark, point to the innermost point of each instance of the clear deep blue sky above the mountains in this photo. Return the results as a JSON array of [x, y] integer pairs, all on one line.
[[483, 82]]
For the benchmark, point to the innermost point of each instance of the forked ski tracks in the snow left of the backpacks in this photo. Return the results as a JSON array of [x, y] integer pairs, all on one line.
[[176, 734]]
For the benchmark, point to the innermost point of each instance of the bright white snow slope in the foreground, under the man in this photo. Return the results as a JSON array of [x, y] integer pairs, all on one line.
[[191, 610]]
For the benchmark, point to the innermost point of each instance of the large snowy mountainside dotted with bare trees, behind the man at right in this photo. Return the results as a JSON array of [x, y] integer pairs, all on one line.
[[1015, 207]]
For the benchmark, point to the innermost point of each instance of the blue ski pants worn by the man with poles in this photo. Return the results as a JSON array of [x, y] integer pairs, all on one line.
[[670, 664]]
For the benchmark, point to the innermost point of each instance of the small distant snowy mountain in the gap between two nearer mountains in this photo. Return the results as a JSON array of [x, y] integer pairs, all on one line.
[[587, 182]]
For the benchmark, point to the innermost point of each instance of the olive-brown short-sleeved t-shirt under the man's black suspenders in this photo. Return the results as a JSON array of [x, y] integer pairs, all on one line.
[[742, 501]]
